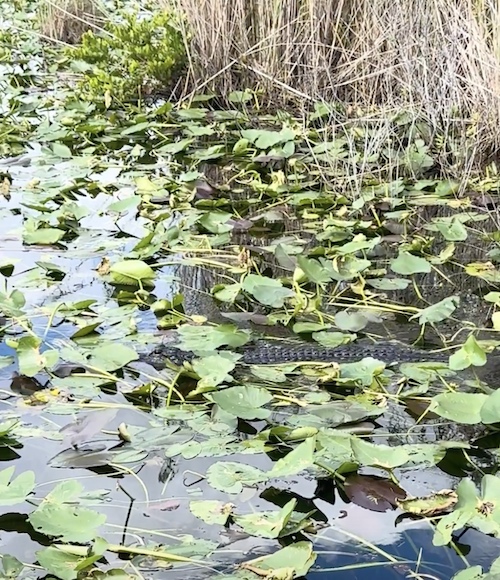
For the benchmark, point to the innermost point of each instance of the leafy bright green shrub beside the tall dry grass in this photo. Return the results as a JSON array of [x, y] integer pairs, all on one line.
[[138, 57]]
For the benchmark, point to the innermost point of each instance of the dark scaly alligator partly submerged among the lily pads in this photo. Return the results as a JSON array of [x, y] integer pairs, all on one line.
[[264, 352]]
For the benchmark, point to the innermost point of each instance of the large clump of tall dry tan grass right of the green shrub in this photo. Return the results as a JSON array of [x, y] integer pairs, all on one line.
[[439, 59]]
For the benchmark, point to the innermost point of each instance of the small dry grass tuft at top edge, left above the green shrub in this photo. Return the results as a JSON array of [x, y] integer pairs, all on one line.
[[67, 20]]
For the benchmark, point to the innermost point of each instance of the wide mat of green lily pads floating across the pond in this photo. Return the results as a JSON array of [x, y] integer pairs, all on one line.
[[109, 215]]
